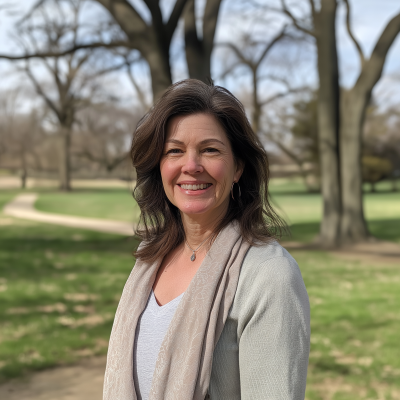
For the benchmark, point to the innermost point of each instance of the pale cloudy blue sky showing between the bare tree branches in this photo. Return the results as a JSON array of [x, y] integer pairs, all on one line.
[[368, 16]]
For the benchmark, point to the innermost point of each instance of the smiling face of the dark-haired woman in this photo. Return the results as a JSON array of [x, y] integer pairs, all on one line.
[[197, 166]]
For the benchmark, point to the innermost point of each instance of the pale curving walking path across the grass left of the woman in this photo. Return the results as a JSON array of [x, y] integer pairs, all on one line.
[[23, 207]]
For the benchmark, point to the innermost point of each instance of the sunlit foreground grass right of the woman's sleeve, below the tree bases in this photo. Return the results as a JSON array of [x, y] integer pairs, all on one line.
[[355, 325]]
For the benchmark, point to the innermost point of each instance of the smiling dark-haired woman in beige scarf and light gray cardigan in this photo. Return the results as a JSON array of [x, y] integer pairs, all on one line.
[[214, 307]]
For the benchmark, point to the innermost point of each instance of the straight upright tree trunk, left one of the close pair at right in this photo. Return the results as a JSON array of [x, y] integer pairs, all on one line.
[[328, 123]]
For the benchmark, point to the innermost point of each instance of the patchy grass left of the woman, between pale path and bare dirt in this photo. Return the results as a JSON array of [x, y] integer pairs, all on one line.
[[59, 289]]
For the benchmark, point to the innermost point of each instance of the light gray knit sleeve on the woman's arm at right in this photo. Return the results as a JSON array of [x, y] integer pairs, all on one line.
[[274, 332]]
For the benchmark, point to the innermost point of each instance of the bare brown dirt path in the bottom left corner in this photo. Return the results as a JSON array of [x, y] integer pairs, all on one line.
[[77, 382]]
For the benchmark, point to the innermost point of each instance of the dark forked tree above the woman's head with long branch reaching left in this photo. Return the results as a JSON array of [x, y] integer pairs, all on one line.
[[152, 38]]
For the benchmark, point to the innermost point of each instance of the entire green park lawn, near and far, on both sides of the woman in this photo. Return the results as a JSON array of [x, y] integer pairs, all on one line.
[[59, 289]]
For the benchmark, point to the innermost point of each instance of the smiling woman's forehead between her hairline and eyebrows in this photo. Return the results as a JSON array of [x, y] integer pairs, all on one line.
[[195, 127]]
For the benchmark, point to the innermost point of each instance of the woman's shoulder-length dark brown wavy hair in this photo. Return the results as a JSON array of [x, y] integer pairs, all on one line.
[[160, 224]]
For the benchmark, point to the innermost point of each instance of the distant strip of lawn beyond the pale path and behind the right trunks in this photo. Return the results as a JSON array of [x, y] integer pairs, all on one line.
[[300, 209]]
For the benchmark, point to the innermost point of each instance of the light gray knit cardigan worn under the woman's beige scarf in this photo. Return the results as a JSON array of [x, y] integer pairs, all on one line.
[[262, 353]]
